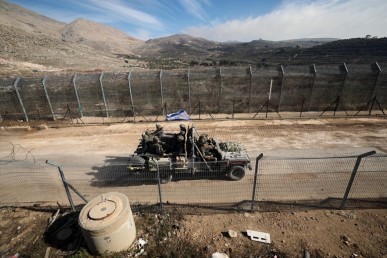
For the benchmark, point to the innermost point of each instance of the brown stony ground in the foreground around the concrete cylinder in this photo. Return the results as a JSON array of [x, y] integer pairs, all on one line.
[[323, 233]]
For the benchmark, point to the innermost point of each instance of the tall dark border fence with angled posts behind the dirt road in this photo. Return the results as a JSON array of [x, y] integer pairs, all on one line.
[[231, 91]]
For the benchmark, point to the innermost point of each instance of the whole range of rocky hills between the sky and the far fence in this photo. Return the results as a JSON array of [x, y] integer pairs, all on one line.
[[31, 43]]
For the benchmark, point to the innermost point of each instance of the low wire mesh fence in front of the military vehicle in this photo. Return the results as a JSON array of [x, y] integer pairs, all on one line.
[[336, 182]]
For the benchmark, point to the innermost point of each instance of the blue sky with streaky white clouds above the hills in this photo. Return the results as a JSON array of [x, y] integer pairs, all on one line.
[[226, 20]]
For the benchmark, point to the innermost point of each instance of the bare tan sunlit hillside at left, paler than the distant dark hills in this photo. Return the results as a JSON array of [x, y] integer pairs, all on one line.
[[31, 43]]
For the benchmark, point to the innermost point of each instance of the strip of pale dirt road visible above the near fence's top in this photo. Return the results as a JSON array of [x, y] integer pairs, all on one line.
[[280, 138]]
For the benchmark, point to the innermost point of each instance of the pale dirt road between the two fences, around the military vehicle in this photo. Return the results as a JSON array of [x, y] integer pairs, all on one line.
[[93, 157]]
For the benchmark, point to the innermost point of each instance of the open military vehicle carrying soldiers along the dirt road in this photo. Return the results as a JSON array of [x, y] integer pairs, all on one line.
[[187, 154]]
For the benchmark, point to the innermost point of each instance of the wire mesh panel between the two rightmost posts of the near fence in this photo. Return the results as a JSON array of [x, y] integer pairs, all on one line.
[[303, 179]]
